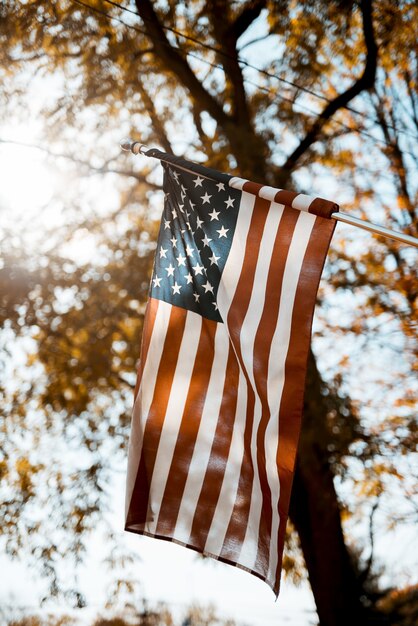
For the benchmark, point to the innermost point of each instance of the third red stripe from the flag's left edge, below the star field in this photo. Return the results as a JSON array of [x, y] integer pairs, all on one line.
[[188, 430]]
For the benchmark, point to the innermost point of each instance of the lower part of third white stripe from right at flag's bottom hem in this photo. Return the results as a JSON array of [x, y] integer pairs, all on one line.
[[228, 493]]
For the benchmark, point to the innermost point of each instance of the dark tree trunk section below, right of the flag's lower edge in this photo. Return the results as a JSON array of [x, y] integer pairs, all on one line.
[[315, 512]]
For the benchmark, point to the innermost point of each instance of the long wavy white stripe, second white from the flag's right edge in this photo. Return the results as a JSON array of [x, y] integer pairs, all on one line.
[[247, 339]]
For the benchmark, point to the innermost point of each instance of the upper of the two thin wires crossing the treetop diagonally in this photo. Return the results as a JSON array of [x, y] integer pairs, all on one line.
[[258, 69]]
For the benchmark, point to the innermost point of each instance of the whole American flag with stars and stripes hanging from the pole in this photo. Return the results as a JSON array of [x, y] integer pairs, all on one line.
[[220, 382]]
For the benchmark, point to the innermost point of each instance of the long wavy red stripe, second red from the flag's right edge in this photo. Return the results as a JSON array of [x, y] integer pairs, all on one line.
[[262, 346]]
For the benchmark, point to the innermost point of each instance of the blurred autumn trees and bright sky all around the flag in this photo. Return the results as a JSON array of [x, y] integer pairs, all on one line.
[[318, 97]]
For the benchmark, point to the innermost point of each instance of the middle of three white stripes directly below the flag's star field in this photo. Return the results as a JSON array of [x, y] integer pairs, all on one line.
[[173, 415]]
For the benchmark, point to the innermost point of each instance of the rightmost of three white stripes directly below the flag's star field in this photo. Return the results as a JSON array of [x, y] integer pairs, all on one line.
[[205, 437]]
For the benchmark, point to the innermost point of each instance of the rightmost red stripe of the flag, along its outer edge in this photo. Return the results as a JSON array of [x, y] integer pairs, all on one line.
[[295, 368]]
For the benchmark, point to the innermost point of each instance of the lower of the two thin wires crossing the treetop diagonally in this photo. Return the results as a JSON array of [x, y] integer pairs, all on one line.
[[248, 81]]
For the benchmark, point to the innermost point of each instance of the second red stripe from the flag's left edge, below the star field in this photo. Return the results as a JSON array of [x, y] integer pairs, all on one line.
[[138, 509]]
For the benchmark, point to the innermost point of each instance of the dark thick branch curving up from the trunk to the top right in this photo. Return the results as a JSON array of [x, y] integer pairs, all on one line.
[[366, 81]]
